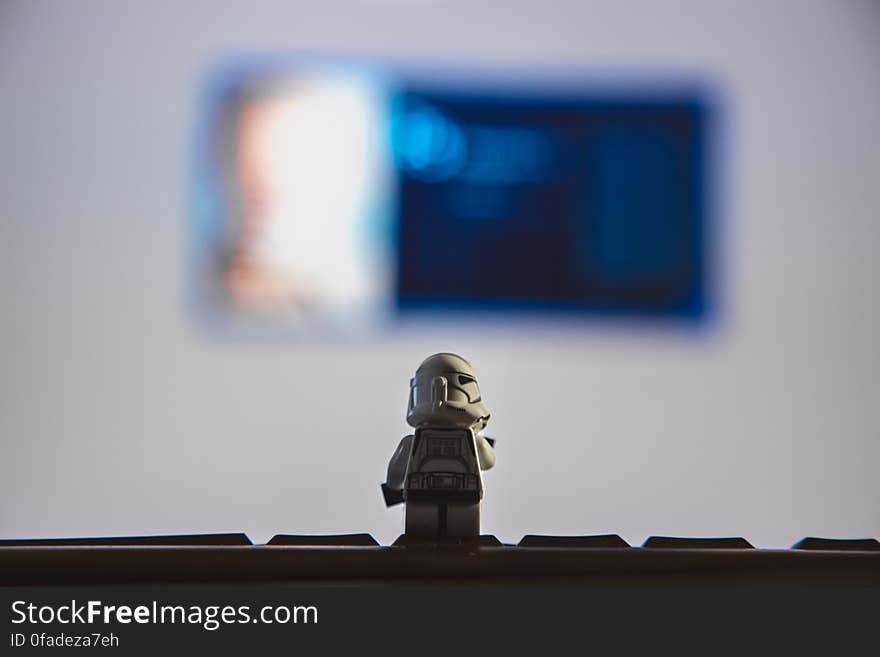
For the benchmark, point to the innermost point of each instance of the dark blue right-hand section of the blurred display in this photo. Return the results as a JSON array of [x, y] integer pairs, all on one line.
[[591, 204]]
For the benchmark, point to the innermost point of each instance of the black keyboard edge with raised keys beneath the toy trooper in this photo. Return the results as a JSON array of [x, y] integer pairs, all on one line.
[[604, 560]]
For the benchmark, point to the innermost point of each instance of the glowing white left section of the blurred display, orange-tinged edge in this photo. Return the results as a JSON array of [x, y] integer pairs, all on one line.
[[311, 165]]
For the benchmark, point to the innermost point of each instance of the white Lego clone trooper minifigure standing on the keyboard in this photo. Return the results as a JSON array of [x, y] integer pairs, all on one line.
[[436, 469]]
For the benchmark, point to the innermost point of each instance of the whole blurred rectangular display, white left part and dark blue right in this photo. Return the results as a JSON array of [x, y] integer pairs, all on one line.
[[346, 196]]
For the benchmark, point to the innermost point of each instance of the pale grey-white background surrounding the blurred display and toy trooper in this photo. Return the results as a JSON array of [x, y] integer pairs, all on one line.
[[117, 417]]
